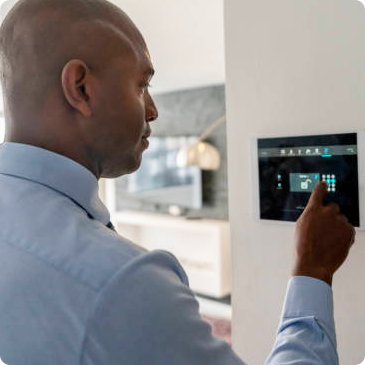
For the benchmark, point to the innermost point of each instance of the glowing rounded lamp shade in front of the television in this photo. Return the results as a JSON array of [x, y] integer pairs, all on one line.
[[201, 154]]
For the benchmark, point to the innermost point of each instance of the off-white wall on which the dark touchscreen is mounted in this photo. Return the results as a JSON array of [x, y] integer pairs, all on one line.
[[292, 67]]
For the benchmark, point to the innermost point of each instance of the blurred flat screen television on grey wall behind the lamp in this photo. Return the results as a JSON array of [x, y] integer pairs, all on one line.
[[160, 181]]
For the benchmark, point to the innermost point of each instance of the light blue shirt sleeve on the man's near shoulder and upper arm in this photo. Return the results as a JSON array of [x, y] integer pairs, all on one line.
[[148, 315]]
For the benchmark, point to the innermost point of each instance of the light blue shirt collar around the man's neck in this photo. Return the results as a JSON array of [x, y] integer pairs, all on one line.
[[55, 171]]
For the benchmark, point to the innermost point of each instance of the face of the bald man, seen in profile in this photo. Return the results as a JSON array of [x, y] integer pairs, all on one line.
[[125, 109]]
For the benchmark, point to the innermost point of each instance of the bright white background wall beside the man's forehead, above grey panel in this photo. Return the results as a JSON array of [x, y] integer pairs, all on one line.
[[185, 39]]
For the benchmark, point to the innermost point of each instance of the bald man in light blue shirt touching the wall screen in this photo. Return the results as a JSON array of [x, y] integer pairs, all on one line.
[[75, 76]]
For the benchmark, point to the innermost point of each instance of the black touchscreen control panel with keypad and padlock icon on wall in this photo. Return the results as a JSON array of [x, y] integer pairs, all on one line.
[[291, 167]]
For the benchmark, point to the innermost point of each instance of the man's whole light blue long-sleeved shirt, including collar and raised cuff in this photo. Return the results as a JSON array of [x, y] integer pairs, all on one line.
[[72, 291]]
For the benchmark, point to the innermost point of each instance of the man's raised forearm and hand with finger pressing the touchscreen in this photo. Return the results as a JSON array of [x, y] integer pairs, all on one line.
[[306, 334]]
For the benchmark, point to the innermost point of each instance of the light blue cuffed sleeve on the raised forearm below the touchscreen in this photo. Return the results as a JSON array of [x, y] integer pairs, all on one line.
[[306, 333]]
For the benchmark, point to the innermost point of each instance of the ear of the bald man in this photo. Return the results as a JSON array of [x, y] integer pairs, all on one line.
[[76, 85]]
